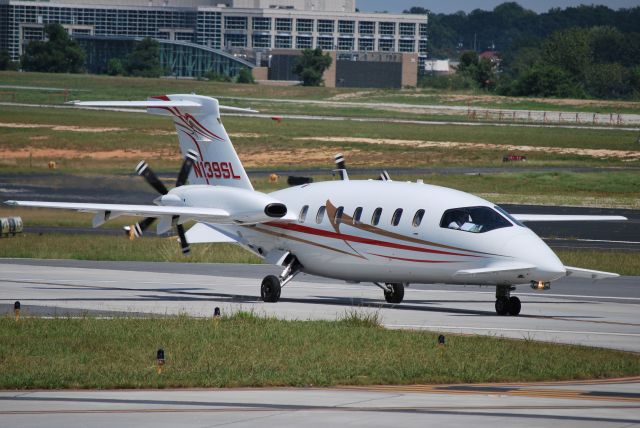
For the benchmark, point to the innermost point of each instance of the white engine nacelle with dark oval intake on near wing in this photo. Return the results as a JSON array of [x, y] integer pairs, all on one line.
[[244, 206]]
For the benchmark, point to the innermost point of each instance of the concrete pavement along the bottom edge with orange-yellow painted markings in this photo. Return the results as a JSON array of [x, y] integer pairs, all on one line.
[[579, 404]]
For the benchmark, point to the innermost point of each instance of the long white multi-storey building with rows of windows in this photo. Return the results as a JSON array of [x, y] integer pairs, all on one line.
[[220, 24]]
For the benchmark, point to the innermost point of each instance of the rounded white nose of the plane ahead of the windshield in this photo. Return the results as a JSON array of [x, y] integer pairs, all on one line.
[[529, 248]]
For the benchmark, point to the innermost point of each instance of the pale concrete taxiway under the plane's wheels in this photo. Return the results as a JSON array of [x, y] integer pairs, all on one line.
[[603, 314]]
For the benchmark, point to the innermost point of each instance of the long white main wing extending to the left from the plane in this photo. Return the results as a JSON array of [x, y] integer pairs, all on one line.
[[108, 211]]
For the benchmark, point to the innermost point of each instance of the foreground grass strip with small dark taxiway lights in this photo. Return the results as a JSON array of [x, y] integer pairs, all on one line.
[[249, 351]]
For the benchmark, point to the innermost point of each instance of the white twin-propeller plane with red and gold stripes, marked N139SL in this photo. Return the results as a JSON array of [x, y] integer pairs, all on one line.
[[381, 231]]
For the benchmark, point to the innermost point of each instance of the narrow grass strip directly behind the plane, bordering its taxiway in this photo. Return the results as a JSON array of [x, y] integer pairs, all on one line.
[[154, 249]]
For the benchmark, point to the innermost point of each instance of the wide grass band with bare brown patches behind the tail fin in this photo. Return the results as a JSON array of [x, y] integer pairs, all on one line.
[[141, 132]]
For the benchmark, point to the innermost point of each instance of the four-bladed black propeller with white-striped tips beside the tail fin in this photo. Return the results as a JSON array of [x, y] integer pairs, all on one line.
[[143, 169]]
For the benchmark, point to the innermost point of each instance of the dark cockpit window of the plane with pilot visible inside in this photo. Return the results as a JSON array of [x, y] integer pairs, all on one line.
[[473, 219]]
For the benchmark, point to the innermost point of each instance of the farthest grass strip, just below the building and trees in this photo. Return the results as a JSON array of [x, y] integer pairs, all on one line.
[[107, 87]]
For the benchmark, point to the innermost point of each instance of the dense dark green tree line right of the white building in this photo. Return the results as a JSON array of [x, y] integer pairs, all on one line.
[[584, 51]]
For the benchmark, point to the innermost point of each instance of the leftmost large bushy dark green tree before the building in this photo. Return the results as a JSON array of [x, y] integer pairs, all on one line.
[[59, 54]]
